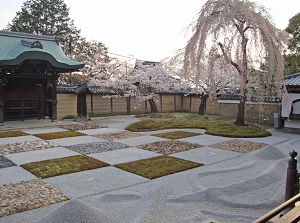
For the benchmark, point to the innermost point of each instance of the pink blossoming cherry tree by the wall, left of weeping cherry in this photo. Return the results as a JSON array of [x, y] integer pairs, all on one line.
[[143, 81]]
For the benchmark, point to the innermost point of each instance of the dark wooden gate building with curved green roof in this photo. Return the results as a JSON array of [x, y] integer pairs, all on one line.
[[29, 69]]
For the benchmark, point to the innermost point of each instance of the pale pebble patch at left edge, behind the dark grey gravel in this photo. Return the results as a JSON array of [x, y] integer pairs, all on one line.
[[26, 146]]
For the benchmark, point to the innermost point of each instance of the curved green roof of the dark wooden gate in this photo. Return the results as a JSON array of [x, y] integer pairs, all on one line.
[[17, 47]]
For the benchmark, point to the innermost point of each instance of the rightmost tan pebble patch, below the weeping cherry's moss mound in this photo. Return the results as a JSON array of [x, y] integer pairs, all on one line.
[[240, 146]]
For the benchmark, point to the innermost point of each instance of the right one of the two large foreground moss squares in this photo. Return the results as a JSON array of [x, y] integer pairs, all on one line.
[[157, 166]]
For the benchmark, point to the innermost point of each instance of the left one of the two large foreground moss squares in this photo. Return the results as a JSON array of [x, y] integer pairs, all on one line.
[[60, 166]]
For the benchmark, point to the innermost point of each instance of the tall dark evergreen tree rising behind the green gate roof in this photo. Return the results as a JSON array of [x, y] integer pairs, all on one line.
[[46, 17]]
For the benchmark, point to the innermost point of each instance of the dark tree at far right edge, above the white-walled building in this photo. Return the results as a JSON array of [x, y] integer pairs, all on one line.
[[292, 56]]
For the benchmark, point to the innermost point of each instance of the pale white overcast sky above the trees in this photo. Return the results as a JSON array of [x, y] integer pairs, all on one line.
[[147, 30]]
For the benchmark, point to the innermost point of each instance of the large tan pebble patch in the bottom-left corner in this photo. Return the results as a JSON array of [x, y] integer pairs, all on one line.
[[19, 197]]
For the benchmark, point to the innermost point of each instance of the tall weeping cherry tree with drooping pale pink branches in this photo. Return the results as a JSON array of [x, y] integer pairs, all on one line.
[[239, 31]]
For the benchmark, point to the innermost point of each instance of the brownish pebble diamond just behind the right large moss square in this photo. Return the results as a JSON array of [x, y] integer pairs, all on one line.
[[169, 147]]
